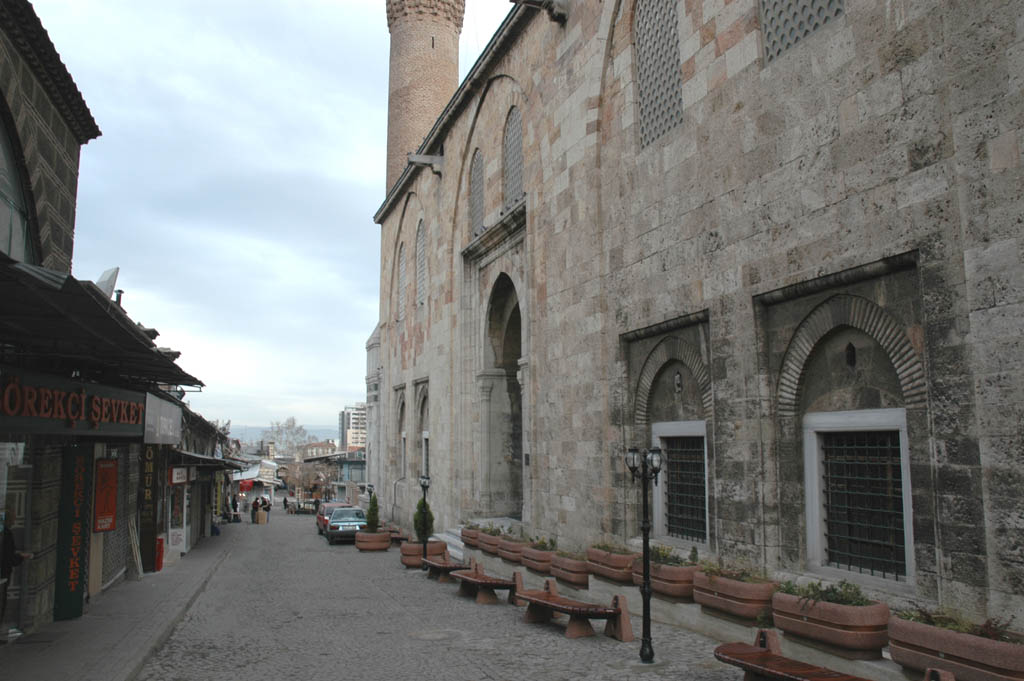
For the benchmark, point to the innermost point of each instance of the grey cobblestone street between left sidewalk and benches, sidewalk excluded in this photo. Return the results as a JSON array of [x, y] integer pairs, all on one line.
[[286, 606]]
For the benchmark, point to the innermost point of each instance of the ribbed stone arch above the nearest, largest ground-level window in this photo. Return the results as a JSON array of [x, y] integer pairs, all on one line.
[[861, 314]]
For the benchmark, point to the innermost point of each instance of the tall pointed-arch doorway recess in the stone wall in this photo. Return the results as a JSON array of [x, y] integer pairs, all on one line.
[[502, 404]]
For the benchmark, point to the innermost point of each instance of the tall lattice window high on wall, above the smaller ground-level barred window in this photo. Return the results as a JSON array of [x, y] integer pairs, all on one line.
[[658, 68]]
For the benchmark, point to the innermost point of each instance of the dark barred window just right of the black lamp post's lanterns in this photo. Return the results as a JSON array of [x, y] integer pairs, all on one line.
[[687, 510]]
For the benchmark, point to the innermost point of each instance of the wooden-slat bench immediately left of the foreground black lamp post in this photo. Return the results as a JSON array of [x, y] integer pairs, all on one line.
[[543, 604]]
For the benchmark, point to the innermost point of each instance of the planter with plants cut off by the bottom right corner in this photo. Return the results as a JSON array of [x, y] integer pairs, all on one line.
[[921, 640]]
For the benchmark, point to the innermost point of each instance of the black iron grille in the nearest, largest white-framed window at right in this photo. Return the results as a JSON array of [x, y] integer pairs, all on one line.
[[864, 502]]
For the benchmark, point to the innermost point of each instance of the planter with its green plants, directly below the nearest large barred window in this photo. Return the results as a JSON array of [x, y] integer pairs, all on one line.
[[838, 615]]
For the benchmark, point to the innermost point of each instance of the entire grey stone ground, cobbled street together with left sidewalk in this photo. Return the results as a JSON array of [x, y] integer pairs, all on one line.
[[277, 603]]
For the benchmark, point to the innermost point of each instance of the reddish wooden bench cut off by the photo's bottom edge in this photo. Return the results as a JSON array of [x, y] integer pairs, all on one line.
[[762, 662]]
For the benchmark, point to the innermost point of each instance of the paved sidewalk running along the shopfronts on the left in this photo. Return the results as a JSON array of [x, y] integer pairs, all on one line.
[[121, 629]]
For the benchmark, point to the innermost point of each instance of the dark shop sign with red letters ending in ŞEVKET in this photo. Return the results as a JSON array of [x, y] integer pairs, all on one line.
[[39, 404]]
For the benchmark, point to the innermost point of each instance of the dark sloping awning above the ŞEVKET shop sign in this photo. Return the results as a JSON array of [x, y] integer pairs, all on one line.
[[53, 316]]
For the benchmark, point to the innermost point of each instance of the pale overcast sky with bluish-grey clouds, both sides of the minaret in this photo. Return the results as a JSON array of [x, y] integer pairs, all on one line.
[[242, 160]]
